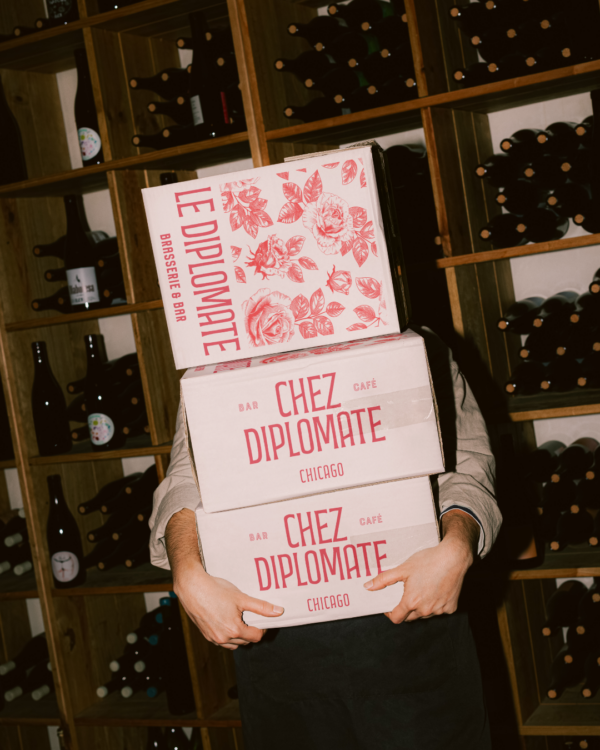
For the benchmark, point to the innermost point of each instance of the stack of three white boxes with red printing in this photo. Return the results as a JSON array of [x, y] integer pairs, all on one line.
[[310, 413]]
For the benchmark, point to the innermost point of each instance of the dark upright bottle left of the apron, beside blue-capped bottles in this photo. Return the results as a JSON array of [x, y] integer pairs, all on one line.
[[178, 683]]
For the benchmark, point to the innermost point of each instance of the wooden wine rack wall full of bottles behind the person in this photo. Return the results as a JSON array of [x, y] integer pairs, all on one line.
[[427, 85]]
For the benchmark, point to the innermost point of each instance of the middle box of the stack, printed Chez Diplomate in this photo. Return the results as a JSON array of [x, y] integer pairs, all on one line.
[[275, 428]]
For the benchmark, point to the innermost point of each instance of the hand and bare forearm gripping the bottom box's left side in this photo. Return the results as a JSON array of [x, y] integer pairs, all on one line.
[[214, 605]]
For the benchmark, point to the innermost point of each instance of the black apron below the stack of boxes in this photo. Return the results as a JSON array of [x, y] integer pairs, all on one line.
[[364, 684]]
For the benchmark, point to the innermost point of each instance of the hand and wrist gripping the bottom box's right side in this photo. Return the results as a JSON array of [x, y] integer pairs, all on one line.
[[433, 577]]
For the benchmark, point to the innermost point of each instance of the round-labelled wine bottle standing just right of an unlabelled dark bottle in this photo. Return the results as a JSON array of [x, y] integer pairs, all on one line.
[[101, 404]]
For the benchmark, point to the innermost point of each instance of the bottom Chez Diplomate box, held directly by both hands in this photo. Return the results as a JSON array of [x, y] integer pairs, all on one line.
[[313, 555]]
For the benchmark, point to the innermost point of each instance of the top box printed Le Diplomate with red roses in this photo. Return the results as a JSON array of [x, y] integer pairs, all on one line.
[[278, 258]]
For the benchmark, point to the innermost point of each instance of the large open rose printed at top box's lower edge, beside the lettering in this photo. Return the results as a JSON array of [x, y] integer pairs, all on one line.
[[268, 318]]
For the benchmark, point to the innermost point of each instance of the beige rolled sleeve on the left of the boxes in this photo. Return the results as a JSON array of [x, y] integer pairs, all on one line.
[[177, 491]]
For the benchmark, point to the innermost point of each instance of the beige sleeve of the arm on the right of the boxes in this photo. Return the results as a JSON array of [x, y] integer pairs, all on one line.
[[468, 483]]
